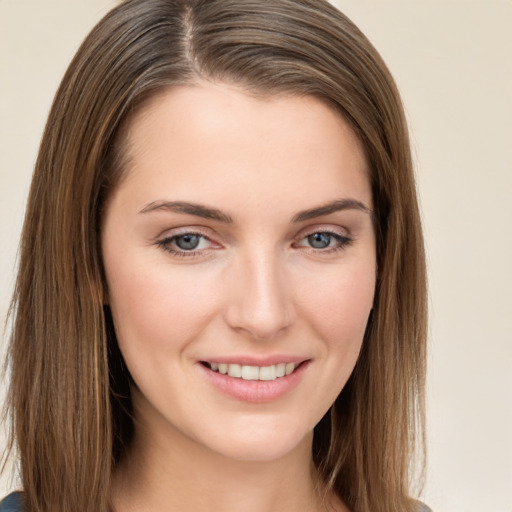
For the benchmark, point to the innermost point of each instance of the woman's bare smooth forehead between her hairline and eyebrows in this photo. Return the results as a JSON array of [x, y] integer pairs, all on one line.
[[215, 140]]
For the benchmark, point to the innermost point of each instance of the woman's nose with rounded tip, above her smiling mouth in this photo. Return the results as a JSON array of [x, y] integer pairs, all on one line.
[[260, 300]]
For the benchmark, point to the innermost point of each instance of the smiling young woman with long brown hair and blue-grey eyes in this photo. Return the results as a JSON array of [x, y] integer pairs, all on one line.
[[221, 294]]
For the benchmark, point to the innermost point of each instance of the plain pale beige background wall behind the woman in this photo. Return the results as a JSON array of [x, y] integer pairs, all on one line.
[[453, 63]]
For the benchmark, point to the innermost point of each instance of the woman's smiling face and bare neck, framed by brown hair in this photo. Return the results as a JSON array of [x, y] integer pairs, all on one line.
[[220, 257]]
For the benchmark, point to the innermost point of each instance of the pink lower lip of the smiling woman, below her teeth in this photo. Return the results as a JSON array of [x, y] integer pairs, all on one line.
[[255, 391]]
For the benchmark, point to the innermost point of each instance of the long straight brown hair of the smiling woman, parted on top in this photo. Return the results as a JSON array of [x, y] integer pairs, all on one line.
[[69, 394]]
